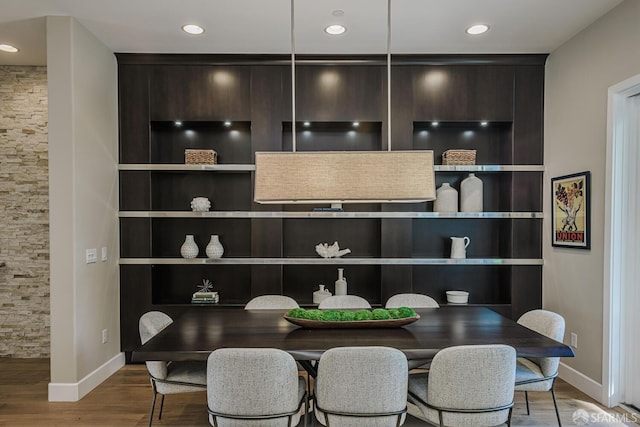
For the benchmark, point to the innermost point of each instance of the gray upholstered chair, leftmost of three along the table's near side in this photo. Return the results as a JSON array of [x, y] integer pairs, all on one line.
[[254, 387]]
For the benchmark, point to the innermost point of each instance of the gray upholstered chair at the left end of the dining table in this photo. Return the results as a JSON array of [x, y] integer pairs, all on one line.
[[169, 377]]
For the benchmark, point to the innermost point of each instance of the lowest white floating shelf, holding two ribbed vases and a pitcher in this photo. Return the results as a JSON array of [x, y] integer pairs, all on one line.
[[334, 261]]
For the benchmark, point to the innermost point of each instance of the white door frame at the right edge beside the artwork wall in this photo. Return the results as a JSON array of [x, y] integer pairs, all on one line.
[[615, 219]]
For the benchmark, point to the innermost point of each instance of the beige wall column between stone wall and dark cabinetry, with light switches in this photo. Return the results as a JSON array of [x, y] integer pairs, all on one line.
[[83, 147]]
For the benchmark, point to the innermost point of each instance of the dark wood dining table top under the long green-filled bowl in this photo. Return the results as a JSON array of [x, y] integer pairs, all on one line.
[[195, 334]]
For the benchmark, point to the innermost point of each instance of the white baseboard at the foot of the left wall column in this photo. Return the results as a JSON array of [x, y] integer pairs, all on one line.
[[72, 392]]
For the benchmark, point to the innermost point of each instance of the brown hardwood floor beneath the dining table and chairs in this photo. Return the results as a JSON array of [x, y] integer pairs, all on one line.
[[125, 398]]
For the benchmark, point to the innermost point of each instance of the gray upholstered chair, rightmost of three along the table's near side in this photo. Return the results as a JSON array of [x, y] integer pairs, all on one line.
[[467, 386]]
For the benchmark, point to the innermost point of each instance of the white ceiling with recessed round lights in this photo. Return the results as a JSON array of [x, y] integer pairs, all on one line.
[[263, 26]]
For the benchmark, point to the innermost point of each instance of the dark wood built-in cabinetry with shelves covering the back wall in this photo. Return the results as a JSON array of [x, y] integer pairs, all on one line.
[[239, 105]]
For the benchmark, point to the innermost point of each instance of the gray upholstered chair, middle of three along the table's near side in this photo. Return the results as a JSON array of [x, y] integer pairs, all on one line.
[[361, 386]]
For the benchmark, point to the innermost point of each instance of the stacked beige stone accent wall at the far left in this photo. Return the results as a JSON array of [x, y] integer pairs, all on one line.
[[24, 213]]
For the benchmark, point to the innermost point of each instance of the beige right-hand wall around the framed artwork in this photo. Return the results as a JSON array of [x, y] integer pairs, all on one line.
[[578, 75]]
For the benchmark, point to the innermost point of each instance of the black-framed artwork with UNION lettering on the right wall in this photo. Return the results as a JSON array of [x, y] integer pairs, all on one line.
[[570, 210]]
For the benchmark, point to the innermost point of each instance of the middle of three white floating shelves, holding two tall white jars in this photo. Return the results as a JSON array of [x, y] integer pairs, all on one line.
[[326, 214]]
